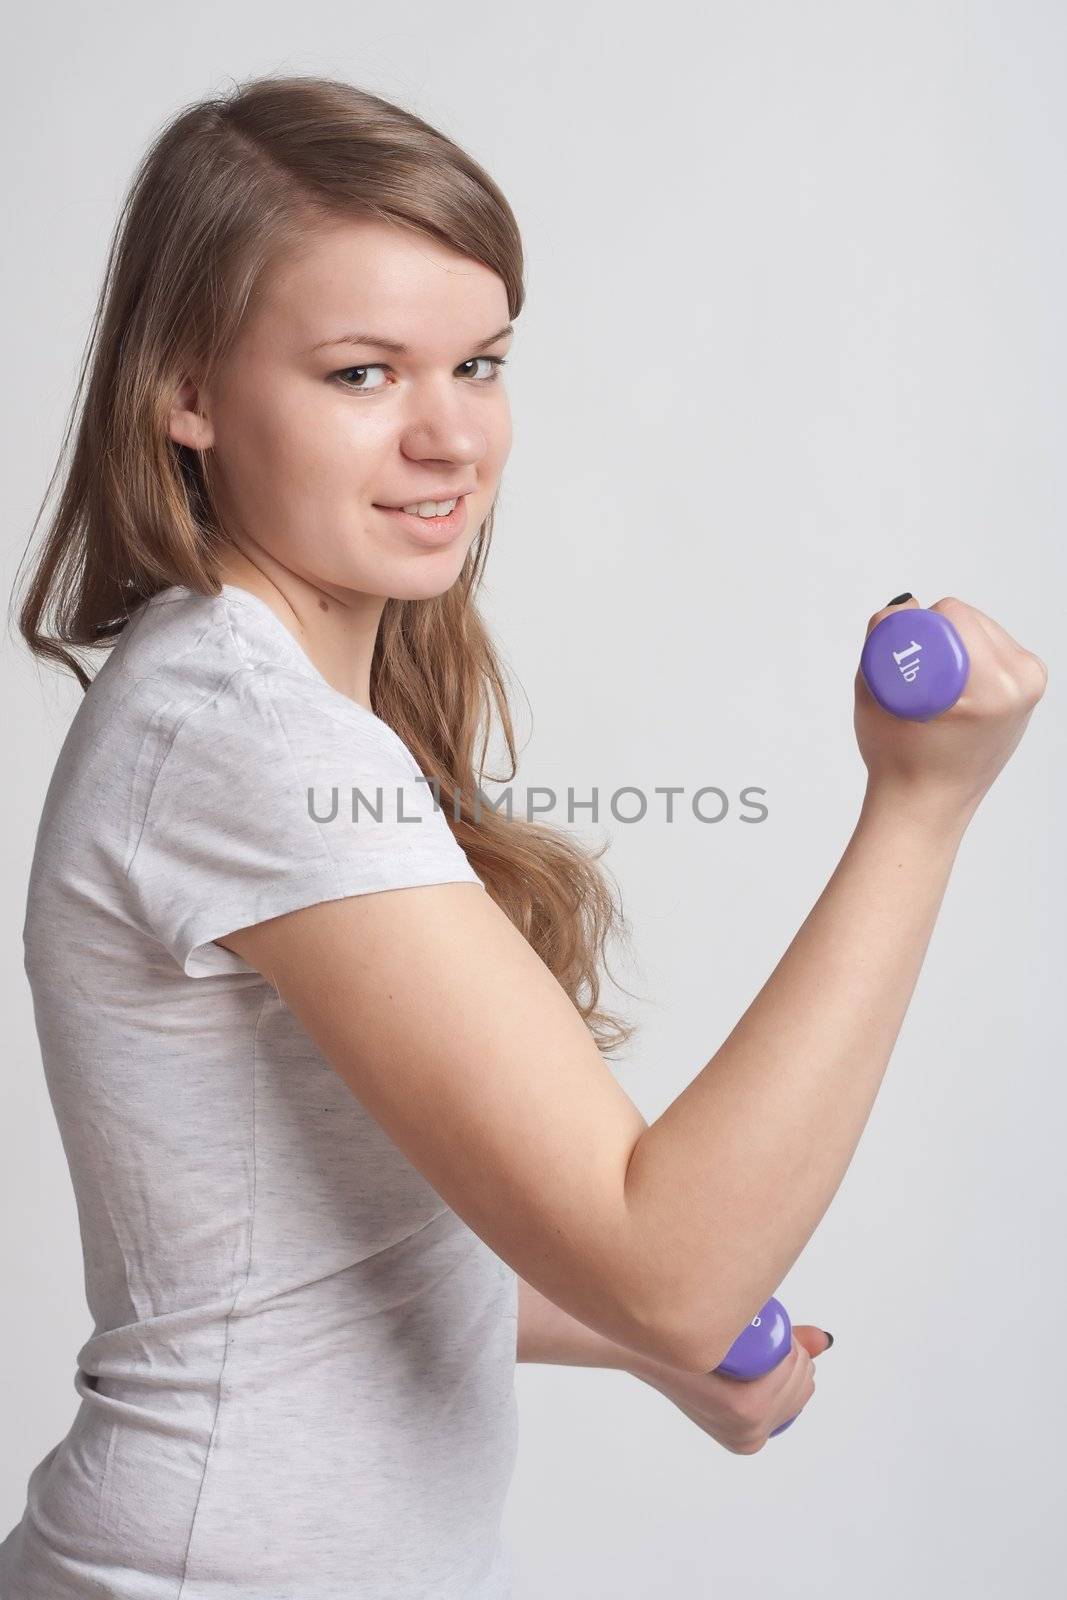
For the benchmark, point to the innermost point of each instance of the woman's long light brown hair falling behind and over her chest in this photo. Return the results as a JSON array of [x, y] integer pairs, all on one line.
[[222, 196]]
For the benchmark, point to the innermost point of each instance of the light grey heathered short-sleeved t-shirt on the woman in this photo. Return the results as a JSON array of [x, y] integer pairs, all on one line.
[[302, 1377]]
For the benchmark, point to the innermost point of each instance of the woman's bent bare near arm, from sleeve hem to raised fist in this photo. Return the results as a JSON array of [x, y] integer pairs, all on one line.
[[462, 1044]]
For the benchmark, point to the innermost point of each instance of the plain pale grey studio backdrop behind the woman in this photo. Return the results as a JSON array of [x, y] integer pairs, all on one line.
[[794, 343]]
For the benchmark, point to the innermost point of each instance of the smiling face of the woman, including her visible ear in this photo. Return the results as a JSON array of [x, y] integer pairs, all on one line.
[[314, 428]]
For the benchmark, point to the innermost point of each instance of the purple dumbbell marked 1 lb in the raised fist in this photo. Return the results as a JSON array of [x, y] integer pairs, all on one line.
[[916, 665]]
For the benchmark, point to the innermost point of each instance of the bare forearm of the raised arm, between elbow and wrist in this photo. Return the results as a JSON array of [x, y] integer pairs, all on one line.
[[729, 1185]]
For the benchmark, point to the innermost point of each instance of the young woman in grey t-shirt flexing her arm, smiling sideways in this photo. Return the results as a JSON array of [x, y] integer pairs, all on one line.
[[321, 1028]]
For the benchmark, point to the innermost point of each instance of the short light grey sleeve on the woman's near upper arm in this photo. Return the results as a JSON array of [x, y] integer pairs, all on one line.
[[271, 796]]
